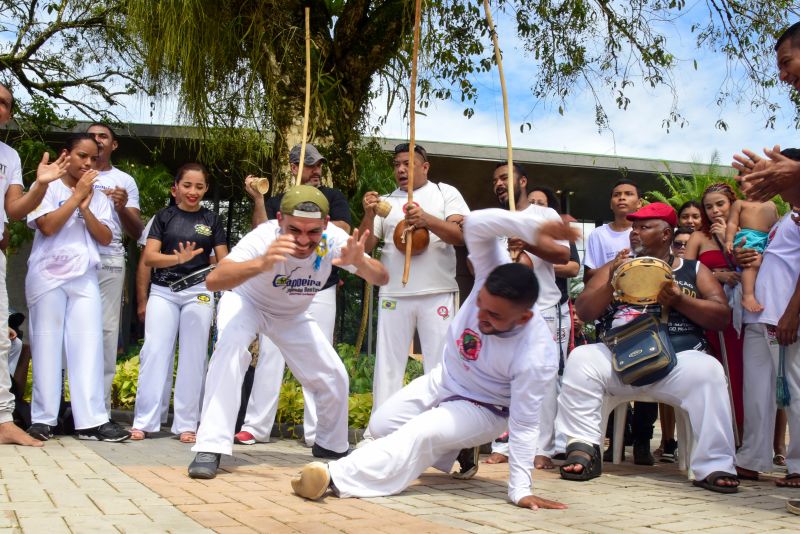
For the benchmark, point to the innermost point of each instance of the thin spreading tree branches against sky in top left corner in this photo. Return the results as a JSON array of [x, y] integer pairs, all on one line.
[[68, 53]]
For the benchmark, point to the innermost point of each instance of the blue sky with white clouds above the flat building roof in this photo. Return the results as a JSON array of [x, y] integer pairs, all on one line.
[[635, 132]]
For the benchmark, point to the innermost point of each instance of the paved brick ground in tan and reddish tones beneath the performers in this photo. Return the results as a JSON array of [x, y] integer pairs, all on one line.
[[75, 486]]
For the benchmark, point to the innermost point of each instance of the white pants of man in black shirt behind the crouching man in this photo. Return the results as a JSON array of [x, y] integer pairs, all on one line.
[[263, 403]]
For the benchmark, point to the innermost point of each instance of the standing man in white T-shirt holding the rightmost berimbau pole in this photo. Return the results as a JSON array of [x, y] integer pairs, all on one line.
[[541, 260]]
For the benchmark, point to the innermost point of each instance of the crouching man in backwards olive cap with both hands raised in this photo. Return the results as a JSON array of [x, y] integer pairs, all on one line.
[[273, 274]]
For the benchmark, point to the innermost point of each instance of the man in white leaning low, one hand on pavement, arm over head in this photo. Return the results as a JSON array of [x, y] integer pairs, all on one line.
[[497, 359]]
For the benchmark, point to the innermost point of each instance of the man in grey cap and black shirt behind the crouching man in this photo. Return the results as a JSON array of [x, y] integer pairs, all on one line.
[[263, 402]]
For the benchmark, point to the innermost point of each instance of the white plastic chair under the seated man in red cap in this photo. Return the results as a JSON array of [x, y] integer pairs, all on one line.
[[619, 405]]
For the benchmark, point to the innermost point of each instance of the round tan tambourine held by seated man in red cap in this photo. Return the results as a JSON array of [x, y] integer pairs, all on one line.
[[639, 280]]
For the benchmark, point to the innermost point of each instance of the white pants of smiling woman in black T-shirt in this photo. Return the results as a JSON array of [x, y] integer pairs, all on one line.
[[188, 315]]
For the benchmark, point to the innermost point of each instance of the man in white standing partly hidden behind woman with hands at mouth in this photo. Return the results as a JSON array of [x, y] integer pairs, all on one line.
[[121, 190]]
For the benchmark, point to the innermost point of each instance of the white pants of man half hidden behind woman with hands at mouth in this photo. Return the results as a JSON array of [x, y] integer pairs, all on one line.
[[111, 277]]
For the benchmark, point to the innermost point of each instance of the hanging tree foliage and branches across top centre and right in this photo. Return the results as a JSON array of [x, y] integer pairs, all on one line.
[[241, 63]]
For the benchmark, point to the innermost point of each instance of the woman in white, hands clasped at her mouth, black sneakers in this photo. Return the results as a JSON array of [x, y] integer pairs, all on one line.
[[64, 298]]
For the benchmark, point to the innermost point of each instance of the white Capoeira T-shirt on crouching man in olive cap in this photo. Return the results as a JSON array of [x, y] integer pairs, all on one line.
[[290, 286]]
